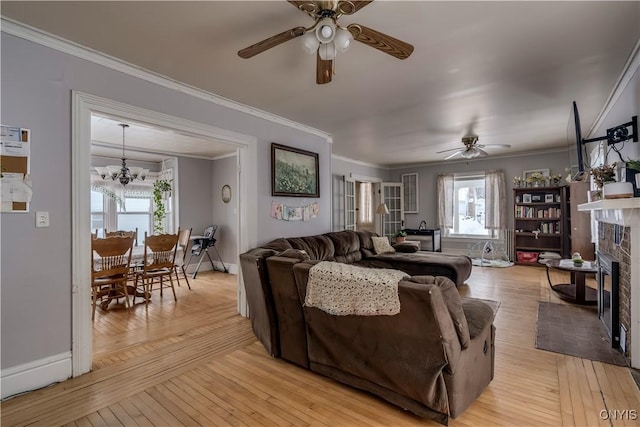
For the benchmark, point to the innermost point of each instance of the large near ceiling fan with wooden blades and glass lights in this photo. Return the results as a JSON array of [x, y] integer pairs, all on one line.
[[326, 38]]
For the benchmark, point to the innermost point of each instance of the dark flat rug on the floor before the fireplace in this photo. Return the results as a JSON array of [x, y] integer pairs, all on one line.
[[576, 331]]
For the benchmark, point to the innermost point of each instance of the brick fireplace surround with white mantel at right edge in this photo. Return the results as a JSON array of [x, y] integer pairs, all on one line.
[[625, 212]]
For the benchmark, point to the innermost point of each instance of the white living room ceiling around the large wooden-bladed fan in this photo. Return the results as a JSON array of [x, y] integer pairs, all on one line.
[[506, 70]]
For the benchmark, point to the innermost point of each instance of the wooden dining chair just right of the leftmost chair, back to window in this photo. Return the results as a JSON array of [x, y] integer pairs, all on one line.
[[159, 259]]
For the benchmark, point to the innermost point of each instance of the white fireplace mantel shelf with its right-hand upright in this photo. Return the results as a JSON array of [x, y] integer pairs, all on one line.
[[625, 212]]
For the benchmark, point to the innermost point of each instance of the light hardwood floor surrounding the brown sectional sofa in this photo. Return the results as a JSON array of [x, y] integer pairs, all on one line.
[[196, 362]]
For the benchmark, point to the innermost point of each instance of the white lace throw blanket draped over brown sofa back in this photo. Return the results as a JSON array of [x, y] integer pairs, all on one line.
[[344, 289]]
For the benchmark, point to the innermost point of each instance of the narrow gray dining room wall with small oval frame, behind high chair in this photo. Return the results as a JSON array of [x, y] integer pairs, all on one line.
[[225, 172]]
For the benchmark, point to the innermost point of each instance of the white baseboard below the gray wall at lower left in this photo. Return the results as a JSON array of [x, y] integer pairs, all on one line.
[[35, 375]]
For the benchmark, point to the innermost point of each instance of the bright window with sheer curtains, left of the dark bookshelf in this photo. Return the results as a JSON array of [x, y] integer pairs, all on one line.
[[468, 208]]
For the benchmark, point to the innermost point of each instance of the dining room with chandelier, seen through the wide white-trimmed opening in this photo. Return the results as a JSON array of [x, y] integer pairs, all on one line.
[[148, 181]]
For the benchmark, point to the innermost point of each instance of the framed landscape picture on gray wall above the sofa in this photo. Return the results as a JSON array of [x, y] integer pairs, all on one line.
[[294, 172]]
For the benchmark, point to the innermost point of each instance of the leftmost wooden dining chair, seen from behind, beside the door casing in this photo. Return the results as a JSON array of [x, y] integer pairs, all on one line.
[[110, 259]]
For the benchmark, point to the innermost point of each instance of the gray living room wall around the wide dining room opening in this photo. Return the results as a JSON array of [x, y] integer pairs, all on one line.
[[36, 93]]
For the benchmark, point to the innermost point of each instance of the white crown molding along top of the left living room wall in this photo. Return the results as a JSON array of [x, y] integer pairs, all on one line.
[[51, 41]]
